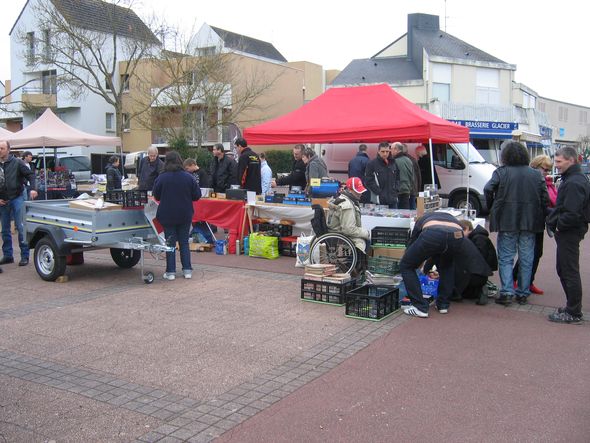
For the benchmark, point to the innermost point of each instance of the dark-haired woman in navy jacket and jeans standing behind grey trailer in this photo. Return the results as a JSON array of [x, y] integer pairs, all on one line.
[[176, 190]]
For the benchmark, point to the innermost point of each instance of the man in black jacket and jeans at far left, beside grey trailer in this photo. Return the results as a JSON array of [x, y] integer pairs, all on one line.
[[16, 174]]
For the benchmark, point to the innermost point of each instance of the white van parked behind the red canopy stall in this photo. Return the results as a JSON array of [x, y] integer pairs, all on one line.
[[450, 160]]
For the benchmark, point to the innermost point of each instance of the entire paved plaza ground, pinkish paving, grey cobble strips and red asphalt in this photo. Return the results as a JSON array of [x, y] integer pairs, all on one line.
[[234, 355]]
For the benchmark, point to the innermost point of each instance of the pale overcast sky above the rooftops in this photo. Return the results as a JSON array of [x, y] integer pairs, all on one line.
[[548, 41]]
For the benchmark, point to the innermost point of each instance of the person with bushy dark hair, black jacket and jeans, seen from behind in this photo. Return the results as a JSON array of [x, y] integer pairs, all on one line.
[[517, 195]]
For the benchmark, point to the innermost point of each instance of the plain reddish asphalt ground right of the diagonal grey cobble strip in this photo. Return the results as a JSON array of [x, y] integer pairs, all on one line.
[[478, 374]]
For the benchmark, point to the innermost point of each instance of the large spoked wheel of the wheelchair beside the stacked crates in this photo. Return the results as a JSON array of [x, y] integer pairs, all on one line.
[[334, 249]]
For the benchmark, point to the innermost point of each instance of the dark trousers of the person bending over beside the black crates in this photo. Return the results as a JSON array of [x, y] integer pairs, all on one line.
[[441, 245]]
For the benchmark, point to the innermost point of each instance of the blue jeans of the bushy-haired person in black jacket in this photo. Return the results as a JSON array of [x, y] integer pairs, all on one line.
[[510, 243]]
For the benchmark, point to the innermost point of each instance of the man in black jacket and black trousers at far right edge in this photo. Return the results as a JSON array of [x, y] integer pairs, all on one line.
[[569, 221]]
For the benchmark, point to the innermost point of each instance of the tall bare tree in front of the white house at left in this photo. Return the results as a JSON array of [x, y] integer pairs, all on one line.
[[85, 42]]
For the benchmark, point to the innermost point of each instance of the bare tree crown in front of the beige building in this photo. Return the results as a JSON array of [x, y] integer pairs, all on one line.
[[202, 91]]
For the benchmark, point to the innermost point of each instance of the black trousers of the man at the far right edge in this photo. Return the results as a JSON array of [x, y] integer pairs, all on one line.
[[568, 268]]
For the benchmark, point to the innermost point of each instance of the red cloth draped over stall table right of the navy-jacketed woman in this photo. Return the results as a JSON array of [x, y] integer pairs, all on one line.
[[226, 214]]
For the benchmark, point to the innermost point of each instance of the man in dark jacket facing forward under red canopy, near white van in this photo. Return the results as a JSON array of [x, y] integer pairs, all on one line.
[[382, 177]]
